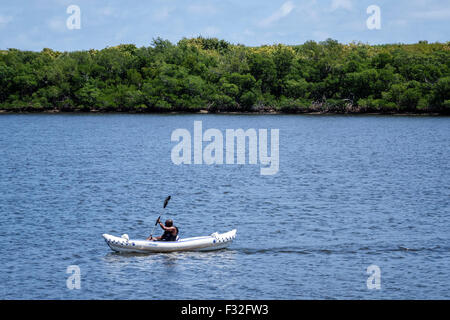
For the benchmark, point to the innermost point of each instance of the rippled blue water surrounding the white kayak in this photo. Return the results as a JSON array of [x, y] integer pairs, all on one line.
[[351, 191]]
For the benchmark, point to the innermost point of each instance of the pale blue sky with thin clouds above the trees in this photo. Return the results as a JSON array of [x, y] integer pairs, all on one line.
[[36, 24]]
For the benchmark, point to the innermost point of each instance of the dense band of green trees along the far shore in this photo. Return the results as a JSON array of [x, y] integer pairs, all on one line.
[[214, 75]]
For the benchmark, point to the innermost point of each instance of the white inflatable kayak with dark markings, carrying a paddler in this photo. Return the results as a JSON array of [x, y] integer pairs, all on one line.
[[215, 241]]
